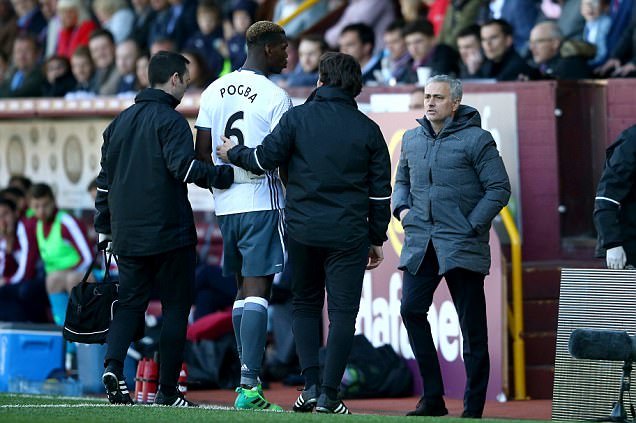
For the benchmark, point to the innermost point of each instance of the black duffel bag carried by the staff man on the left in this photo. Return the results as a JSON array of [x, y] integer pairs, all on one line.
[[91, 307]]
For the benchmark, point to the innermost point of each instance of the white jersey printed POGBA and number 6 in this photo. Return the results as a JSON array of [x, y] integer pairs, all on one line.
[[244, 106]]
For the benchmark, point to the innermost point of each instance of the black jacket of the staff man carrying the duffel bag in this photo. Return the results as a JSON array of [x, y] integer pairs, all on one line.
[[148, 159]]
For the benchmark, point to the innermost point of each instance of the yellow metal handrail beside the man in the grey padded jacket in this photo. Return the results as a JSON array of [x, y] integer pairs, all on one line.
[[515, 312]]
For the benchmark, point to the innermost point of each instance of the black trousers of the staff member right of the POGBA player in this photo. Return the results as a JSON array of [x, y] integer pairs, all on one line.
[[340, 271]]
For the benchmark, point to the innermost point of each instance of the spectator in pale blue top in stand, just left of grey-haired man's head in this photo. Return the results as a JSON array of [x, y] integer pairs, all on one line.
[[395, 59]]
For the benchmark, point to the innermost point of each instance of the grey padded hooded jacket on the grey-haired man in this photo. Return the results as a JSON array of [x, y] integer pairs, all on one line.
[[454, 184]]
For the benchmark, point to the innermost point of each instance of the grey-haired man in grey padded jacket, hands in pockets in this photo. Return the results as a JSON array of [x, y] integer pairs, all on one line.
[[450, 184]]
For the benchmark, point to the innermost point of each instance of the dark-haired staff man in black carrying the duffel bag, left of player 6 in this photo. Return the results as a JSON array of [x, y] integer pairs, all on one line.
[[147, 159]]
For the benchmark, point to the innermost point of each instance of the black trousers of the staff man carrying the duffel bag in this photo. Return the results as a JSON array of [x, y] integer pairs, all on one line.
[[173, 271]]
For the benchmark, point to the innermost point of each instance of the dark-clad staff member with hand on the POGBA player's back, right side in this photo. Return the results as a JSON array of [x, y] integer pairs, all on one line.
[[337, 213]]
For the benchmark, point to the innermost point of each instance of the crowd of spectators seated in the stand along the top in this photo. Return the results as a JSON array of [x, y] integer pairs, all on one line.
[[84, 48]]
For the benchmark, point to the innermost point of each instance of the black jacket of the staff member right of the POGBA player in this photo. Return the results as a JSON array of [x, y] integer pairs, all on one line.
[[339, 171]]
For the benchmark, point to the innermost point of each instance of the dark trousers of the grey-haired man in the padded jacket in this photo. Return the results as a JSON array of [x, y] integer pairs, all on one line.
[[467, 291]]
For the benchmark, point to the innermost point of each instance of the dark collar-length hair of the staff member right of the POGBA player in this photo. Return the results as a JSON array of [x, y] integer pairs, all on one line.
[[340, 70]]
